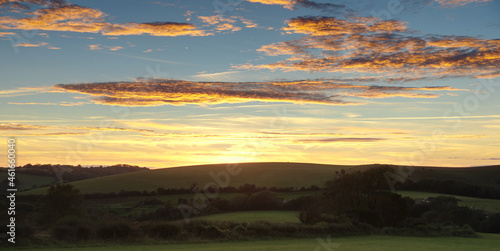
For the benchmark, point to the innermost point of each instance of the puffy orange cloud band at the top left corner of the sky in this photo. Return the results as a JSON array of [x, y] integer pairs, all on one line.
[[76, 18]]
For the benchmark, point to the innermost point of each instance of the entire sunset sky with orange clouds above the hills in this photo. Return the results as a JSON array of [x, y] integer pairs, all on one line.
[[184, 82]]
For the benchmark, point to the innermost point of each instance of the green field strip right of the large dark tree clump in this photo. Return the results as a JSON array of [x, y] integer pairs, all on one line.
[[488, 205]]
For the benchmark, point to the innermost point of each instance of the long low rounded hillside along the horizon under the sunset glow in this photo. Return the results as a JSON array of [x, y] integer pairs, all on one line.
[[278, 174]]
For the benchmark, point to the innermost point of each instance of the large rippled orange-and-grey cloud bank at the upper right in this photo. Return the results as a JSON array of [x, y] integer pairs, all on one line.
[[380, 47]]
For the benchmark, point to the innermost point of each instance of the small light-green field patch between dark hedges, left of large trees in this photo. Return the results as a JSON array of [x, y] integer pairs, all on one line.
[[249, 216]]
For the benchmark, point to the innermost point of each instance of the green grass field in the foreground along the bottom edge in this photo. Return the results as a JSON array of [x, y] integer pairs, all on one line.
[[486, 242]]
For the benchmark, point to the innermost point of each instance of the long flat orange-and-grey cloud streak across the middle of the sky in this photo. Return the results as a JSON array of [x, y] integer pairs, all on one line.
[[157, 92]]
